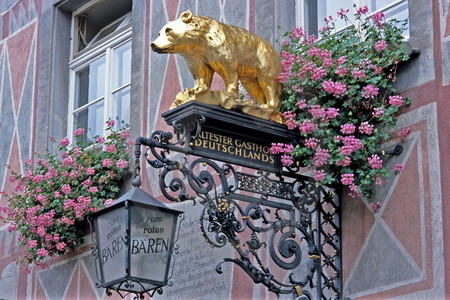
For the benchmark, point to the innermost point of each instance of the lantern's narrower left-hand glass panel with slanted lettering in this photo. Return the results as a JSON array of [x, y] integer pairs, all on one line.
[[111, 228]]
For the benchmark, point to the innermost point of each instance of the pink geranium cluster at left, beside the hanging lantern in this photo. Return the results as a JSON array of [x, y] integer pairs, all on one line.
[[57, 191]]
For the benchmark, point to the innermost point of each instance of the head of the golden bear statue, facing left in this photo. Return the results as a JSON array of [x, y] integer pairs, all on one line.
[[176, 36]]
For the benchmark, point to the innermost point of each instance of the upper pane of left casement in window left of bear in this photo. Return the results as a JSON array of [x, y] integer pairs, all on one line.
[[90, 83]]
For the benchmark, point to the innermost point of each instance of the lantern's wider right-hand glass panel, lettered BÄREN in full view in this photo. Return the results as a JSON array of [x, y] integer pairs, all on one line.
[[151, 236]]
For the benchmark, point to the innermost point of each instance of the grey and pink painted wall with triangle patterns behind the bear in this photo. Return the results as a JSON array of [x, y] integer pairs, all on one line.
[[399, 252]]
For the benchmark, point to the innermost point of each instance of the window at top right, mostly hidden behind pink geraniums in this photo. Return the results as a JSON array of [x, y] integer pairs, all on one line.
[[311, 14]]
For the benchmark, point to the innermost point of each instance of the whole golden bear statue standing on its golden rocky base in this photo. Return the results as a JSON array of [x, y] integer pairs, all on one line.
[[209, 46]]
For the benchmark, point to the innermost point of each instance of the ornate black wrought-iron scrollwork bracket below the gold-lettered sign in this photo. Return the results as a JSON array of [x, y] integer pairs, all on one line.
[[280, 215]]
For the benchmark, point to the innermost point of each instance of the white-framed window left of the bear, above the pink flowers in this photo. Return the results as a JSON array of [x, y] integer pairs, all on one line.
[[100, 67]]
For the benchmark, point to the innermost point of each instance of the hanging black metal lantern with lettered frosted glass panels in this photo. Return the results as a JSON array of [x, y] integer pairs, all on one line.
[[135, 239]]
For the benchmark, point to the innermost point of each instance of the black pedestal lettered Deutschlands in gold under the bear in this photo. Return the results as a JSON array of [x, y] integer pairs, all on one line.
[[229, 136]]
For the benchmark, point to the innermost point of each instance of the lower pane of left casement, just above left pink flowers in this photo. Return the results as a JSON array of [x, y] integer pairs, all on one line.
[[91, 119]]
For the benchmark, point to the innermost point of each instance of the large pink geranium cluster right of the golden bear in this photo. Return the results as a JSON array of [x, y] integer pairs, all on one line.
[[338, 94]]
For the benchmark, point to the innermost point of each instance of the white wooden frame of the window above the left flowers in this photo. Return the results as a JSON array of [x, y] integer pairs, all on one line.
[[84, 57]]
